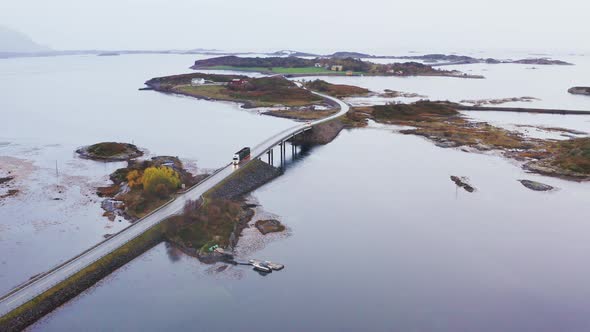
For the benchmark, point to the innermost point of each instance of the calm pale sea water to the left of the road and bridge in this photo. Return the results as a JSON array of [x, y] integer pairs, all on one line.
[[51, 106]]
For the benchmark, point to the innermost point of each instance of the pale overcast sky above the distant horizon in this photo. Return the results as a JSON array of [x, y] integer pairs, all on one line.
[[307, 25]]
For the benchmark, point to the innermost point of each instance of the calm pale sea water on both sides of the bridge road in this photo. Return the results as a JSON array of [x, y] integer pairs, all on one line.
[[379, 237]]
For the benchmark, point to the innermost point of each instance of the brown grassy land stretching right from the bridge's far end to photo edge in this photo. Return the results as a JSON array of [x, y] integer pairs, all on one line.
[[441, 123]]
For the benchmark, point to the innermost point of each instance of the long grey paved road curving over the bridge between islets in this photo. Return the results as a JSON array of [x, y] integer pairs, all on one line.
[[37, 286]]
